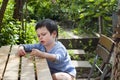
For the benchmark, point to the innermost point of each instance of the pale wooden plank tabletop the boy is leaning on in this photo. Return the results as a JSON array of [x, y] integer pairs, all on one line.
[[13, 67]]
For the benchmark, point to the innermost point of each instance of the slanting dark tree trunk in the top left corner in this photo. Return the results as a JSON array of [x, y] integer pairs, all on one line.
[[2, 11]]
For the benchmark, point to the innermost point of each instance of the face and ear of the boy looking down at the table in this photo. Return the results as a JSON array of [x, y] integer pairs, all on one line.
[[45, 37]]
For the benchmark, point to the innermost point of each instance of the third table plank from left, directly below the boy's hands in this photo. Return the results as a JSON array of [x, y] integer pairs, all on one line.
[[27, 69]]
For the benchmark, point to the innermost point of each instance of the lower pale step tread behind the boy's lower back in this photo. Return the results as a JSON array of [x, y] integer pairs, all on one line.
[[81, 64]]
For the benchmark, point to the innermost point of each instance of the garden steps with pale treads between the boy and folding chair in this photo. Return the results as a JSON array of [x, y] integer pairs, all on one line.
[[77, 48]]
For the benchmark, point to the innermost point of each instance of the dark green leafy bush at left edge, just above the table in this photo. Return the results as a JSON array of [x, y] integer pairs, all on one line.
[[8, 33]]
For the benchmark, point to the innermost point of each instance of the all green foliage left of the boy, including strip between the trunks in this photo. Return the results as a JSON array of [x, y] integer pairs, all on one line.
[[12, 30]]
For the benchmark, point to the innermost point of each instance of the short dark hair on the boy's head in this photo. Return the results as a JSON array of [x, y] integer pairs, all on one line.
[[49, 24]]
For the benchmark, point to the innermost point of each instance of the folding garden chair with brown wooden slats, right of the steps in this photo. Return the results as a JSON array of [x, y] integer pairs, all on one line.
[[104, 52]]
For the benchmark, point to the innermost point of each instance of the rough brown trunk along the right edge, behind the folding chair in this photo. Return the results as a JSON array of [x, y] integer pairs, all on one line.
[[116, 56]]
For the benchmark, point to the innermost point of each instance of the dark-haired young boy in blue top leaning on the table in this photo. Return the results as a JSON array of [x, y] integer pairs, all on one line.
[[56, 54]]
